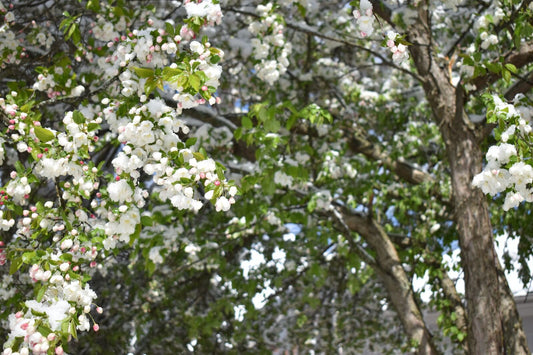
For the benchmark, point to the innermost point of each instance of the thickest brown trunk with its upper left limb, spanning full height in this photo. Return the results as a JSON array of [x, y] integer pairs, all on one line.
[[478, 256]]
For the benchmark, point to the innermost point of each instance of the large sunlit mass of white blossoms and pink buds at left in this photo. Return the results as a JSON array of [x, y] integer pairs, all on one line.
[[97, 210]]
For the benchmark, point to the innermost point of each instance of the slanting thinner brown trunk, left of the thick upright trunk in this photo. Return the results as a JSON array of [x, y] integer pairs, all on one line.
[[395, 280]]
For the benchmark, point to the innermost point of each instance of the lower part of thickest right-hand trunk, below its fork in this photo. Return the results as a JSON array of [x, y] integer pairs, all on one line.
[[478, 255]]
